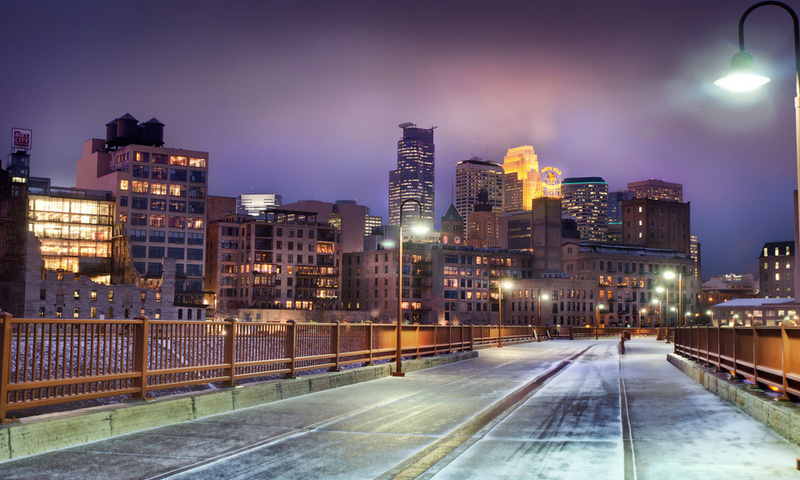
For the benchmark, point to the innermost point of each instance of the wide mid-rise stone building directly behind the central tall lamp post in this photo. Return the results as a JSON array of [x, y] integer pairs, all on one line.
[[441, 284]]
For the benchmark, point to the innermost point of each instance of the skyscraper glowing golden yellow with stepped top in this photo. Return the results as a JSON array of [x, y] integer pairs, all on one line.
[[522, 182]]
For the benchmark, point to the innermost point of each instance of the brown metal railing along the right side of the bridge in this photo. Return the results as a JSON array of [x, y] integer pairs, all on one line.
[[767, 356]]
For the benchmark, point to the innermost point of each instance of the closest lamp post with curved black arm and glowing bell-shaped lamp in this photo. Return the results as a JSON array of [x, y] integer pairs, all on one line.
[[742, 77]]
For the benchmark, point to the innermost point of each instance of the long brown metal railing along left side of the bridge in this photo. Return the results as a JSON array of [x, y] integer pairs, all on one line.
[[52, 361]]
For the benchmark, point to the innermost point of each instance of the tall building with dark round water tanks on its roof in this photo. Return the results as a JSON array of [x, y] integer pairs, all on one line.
[[160, 202]]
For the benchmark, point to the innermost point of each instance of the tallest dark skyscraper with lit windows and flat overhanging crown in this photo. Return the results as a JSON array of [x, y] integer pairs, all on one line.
[[413, 178]]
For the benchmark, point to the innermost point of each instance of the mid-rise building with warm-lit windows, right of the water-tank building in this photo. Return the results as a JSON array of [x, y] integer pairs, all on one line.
[[287, 260]]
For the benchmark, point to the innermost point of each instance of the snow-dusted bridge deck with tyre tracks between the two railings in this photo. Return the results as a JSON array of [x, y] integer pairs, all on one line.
[[539, 410]]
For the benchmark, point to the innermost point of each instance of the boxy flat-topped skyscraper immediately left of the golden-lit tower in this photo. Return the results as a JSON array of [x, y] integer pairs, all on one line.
[[472, 176]]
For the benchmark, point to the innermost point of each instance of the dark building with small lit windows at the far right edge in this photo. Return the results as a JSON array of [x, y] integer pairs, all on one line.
[[776, 270]]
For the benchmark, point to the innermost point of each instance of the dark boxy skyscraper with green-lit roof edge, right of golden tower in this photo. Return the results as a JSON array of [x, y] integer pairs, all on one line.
[[586, 200]]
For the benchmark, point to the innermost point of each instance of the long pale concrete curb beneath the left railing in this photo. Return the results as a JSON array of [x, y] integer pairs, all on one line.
[[48, 432]]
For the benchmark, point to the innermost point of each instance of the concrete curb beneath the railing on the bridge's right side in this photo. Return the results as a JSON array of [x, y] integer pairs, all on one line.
[[781, 417]]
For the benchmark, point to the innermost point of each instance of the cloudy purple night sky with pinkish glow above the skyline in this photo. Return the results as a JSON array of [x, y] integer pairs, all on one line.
[[304, 98]]
